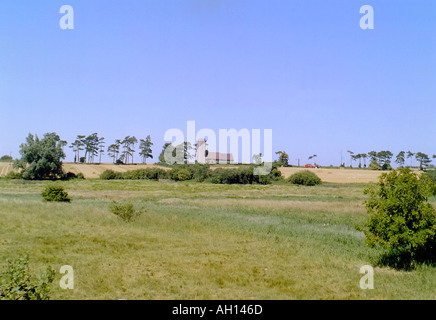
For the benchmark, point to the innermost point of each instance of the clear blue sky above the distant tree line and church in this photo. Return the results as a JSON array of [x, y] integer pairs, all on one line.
[[304, 69]]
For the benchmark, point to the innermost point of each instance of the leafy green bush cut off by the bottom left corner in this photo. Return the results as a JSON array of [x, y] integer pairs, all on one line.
[[18, 284]]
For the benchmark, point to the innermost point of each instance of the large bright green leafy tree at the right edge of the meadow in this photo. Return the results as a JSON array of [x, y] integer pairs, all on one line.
[[401, 220]]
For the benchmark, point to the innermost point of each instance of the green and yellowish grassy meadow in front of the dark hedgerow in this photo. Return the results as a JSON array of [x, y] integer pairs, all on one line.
[[202, 241]]
